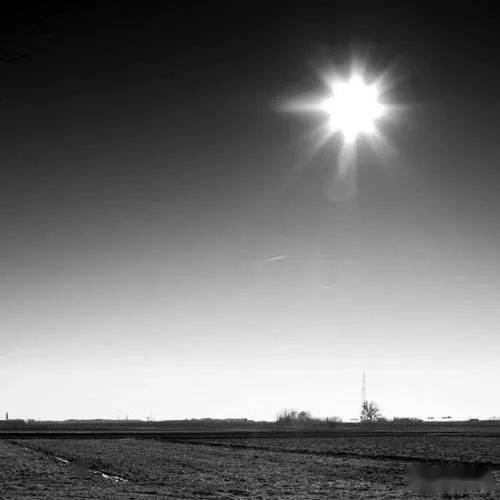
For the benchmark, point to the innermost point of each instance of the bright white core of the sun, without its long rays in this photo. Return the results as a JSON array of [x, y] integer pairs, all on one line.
[[353, 107]]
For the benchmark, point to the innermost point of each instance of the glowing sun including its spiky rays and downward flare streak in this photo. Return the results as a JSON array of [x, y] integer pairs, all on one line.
[[354, 105]]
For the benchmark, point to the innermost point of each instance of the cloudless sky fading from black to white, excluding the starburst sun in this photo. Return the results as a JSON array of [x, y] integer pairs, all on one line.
[[149, 178]]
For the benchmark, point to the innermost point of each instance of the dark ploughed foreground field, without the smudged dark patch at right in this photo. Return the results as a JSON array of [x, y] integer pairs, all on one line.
[[342, 466]]
